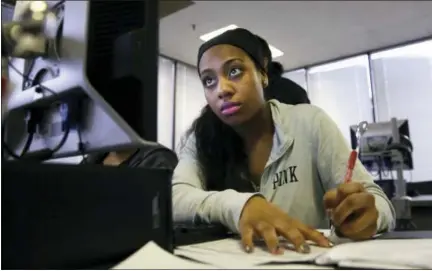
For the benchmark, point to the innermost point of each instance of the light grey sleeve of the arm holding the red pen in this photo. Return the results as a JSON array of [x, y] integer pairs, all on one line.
[[333, 152]]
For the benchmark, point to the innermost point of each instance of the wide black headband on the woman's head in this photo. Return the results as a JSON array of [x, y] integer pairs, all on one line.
[[240, 38]]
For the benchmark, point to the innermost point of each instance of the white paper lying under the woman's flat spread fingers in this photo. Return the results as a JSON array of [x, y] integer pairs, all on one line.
[[234, 256]]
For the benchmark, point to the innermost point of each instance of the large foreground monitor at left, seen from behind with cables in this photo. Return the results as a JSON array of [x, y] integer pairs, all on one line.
[[95, 91]]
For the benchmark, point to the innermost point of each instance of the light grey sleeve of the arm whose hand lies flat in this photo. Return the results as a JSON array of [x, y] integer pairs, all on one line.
[[191, 203]]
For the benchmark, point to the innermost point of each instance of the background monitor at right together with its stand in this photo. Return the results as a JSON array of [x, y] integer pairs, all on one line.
[[387, 146]]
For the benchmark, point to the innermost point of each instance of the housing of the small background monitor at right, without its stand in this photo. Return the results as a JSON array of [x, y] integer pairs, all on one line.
[[378, 142]]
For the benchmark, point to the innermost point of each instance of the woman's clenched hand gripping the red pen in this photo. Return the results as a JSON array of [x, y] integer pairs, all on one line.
[[353, 211]]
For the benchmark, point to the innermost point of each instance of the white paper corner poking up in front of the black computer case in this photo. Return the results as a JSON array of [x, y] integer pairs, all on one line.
[[151, 256]]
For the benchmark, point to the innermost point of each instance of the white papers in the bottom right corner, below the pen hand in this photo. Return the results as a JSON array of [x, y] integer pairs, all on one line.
[[413, 253]]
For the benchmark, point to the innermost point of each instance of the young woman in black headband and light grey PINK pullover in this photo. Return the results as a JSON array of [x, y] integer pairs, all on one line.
[[266, 169]]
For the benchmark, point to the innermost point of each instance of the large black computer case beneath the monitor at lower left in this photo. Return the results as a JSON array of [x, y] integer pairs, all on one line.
[[81, 216]]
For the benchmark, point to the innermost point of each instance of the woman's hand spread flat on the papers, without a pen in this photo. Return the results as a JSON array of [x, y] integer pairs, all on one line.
[[265, 220]]
